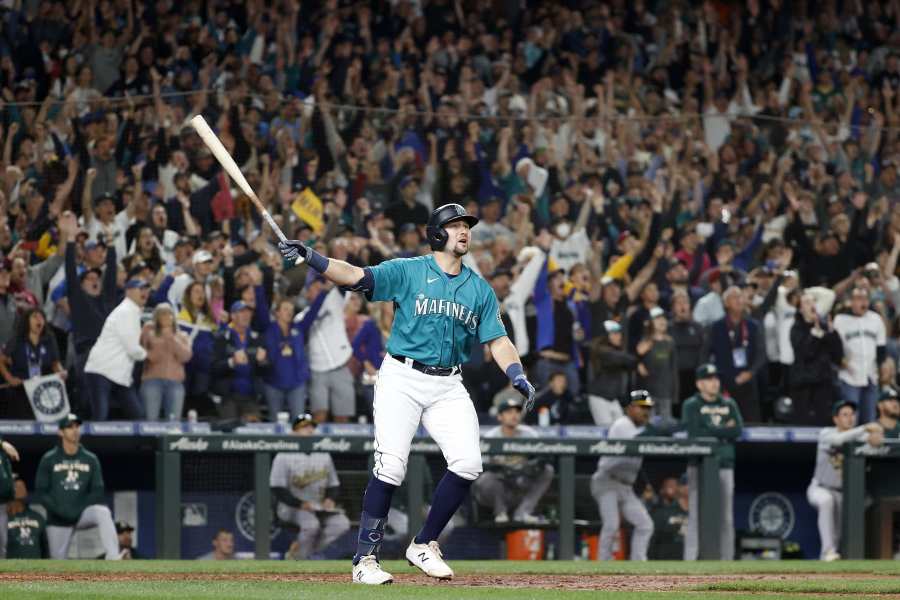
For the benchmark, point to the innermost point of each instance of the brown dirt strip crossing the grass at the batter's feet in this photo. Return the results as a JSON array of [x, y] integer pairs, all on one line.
[[621, 583]]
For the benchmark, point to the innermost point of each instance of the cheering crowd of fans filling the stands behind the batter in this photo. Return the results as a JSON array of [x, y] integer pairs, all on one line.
[[660, 184]]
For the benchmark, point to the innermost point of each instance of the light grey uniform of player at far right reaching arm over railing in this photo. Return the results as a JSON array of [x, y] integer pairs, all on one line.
[[825, 490]]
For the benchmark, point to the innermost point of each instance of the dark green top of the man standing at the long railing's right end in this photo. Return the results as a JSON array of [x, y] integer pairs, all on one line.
[[719, 418]]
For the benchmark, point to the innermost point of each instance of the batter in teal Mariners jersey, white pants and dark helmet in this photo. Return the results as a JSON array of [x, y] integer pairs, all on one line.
[[440, 307]]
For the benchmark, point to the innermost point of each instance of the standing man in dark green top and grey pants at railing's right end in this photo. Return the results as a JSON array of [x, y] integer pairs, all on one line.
[[709, 414]]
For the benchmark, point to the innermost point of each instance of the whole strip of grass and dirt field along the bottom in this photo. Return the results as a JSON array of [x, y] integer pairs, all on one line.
[[276, 580]]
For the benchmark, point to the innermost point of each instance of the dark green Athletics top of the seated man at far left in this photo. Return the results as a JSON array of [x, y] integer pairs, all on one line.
[[67, 484]]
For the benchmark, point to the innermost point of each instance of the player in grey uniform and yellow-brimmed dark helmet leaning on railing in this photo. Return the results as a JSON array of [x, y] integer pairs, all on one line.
[[612, 485]]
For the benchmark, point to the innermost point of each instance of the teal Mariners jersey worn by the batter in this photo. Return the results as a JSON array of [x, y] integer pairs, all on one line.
[[436, 316]]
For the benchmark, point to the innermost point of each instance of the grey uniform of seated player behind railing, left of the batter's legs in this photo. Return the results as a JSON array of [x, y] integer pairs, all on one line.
[[306, 477]]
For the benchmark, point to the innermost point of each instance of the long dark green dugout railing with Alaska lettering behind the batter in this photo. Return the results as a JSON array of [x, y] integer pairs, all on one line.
[[262, 448]]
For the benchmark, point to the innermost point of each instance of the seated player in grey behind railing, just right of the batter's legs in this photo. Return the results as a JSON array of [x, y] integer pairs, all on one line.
[[513, 478]]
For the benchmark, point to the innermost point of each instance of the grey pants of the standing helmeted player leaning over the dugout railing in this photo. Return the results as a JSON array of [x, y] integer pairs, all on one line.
[[616, 500]]
